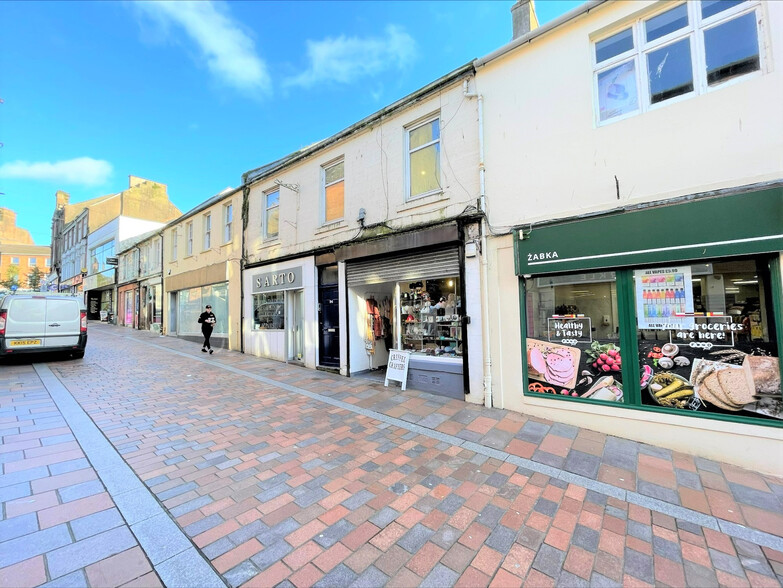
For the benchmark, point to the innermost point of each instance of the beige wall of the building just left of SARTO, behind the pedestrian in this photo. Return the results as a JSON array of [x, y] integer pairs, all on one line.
[[229, 253]]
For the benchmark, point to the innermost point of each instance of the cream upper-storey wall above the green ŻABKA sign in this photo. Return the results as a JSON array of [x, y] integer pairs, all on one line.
[[546, 158]]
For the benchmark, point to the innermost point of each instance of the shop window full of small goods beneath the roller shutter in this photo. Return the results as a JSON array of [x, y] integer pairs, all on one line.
[[431, 317]]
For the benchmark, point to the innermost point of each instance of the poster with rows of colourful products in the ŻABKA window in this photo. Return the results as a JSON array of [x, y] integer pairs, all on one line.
[[664, 298]]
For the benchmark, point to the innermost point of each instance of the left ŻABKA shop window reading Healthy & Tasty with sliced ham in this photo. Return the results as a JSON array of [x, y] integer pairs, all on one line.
[[573, 337]]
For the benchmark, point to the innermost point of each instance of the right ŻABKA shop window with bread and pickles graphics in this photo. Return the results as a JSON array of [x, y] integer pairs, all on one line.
[[705, 333]]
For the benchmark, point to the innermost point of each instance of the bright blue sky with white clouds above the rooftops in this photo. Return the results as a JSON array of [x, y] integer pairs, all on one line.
[[194, 94]]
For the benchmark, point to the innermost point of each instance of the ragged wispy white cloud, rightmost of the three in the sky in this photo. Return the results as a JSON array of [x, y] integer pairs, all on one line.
[[346, 59]]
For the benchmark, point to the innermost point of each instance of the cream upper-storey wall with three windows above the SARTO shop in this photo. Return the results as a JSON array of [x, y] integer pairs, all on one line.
[[374, 180]]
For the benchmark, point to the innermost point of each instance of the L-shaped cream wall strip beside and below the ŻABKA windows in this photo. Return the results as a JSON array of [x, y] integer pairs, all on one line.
[[749, 446]]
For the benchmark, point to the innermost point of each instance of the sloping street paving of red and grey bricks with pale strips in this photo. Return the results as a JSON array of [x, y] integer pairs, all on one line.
[[148, 463]]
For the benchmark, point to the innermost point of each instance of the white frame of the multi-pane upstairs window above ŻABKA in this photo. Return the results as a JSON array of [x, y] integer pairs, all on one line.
[[694, 31]]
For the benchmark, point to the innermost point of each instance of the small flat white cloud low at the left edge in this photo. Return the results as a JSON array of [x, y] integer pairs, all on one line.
[[82, 170]]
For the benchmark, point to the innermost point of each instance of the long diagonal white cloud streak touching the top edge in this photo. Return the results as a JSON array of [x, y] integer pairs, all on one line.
[[229, 52]]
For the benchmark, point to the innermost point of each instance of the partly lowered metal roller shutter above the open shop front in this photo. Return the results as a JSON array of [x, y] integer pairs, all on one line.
[[403, 268]]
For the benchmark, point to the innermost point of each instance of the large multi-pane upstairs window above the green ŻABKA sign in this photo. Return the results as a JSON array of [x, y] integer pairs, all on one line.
[[683, 50]]
